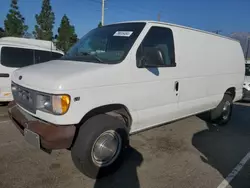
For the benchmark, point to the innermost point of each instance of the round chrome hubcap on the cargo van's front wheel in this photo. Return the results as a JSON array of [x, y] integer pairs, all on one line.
[[106, 148]]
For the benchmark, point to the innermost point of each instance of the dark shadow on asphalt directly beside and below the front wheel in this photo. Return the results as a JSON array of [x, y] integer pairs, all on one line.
[[126, 176]]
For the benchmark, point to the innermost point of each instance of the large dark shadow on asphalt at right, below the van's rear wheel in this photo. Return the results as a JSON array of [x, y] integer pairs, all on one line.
[[224, 147]]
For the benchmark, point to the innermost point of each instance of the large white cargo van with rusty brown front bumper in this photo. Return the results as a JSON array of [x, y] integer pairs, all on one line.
[[120, 79]]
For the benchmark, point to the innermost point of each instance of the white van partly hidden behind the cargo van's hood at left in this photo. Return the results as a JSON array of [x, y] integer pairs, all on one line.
[[20, 52]]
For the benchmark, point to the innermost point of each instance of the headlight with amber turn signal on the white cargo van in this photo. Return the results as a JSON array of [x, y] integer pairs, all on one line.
[[56, 104]]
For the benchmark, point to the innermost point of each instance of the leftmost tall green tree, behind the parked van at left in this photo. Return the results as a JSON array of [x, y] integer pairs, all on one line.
[[14, 22]]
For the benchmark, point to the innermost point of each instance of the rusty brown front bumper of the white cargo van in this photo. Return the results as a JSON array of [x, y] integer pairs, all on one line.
[[51, 136]]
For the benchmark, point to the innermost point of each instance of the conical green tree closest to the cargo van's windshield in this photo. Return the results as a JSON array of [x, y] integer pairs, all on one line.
[[66, 35]]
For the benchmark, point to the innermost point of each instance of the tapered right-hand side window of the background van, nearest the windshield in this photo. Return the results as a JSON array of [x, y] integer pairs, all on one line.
[[44, 56]]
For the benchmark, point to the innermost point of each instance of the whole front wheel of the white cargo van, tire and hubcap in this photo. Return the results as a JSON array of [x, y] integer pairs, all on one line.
[[100, 146]]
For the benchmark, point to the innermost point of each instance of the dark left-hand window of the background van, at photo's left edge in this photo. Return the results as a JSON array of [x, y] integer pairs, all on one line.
[[16, 57]]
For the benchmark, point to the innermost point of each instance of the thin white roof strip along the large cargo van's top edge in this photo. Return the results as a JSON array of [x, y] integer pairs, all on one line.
[[181, 26]]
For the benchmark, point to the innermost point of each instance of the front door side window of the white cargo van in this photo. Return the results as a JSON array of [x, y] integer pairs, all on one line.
[[160, 40]]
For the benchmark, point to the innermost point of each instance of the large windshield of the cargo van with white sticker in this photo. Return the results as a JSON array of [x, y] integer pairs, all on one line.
[[108, 44]]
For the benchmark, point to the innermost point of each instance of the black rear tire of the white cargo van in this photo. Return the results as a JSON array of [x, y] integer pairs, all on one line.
[[221, 115]]
